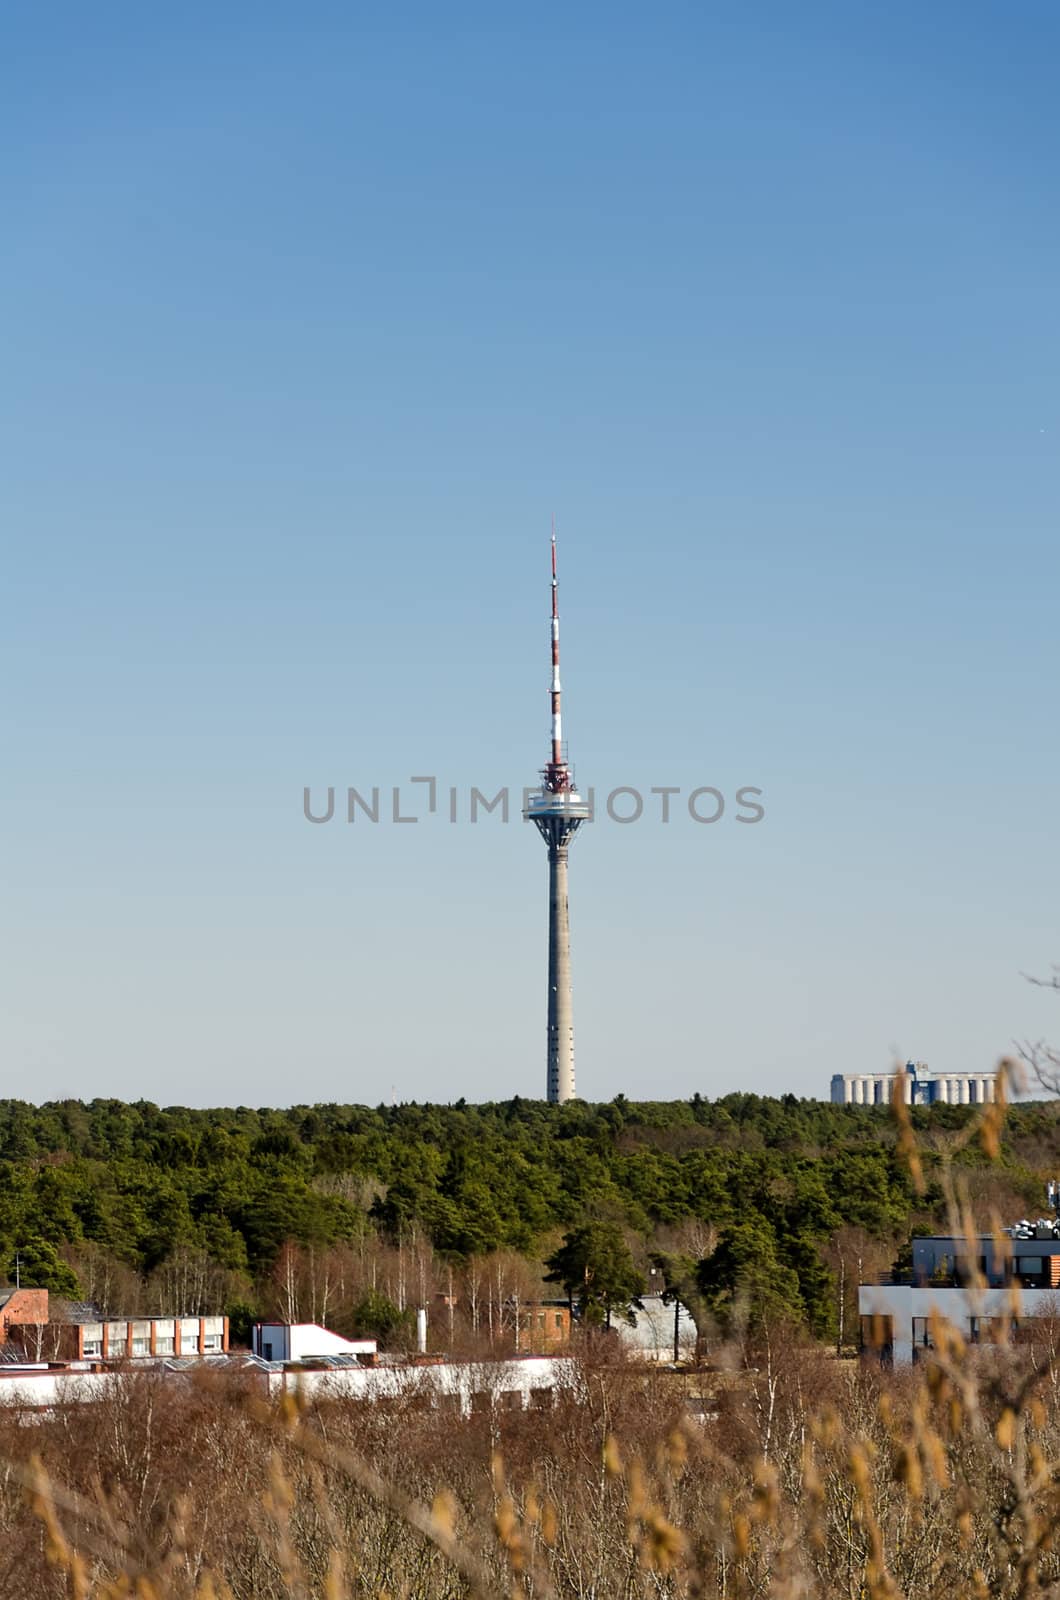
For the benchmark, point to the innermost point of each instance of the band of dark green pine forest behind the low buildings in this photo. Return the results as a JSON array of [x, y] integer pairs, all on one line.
[[351, 1215]]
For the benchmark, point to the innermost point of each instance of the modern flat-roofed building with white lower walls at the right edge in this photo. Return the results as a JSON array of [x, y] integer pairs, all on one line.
[[1000, 1289]]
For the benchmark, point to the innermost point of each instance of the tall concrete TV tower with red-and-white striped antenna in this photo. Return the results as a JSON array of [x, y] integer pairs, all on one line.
[[558, 812]]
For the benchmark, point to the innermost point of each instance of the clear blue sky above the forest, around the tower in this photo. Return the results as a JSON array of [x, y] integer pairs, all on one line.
[[310, 326]]
